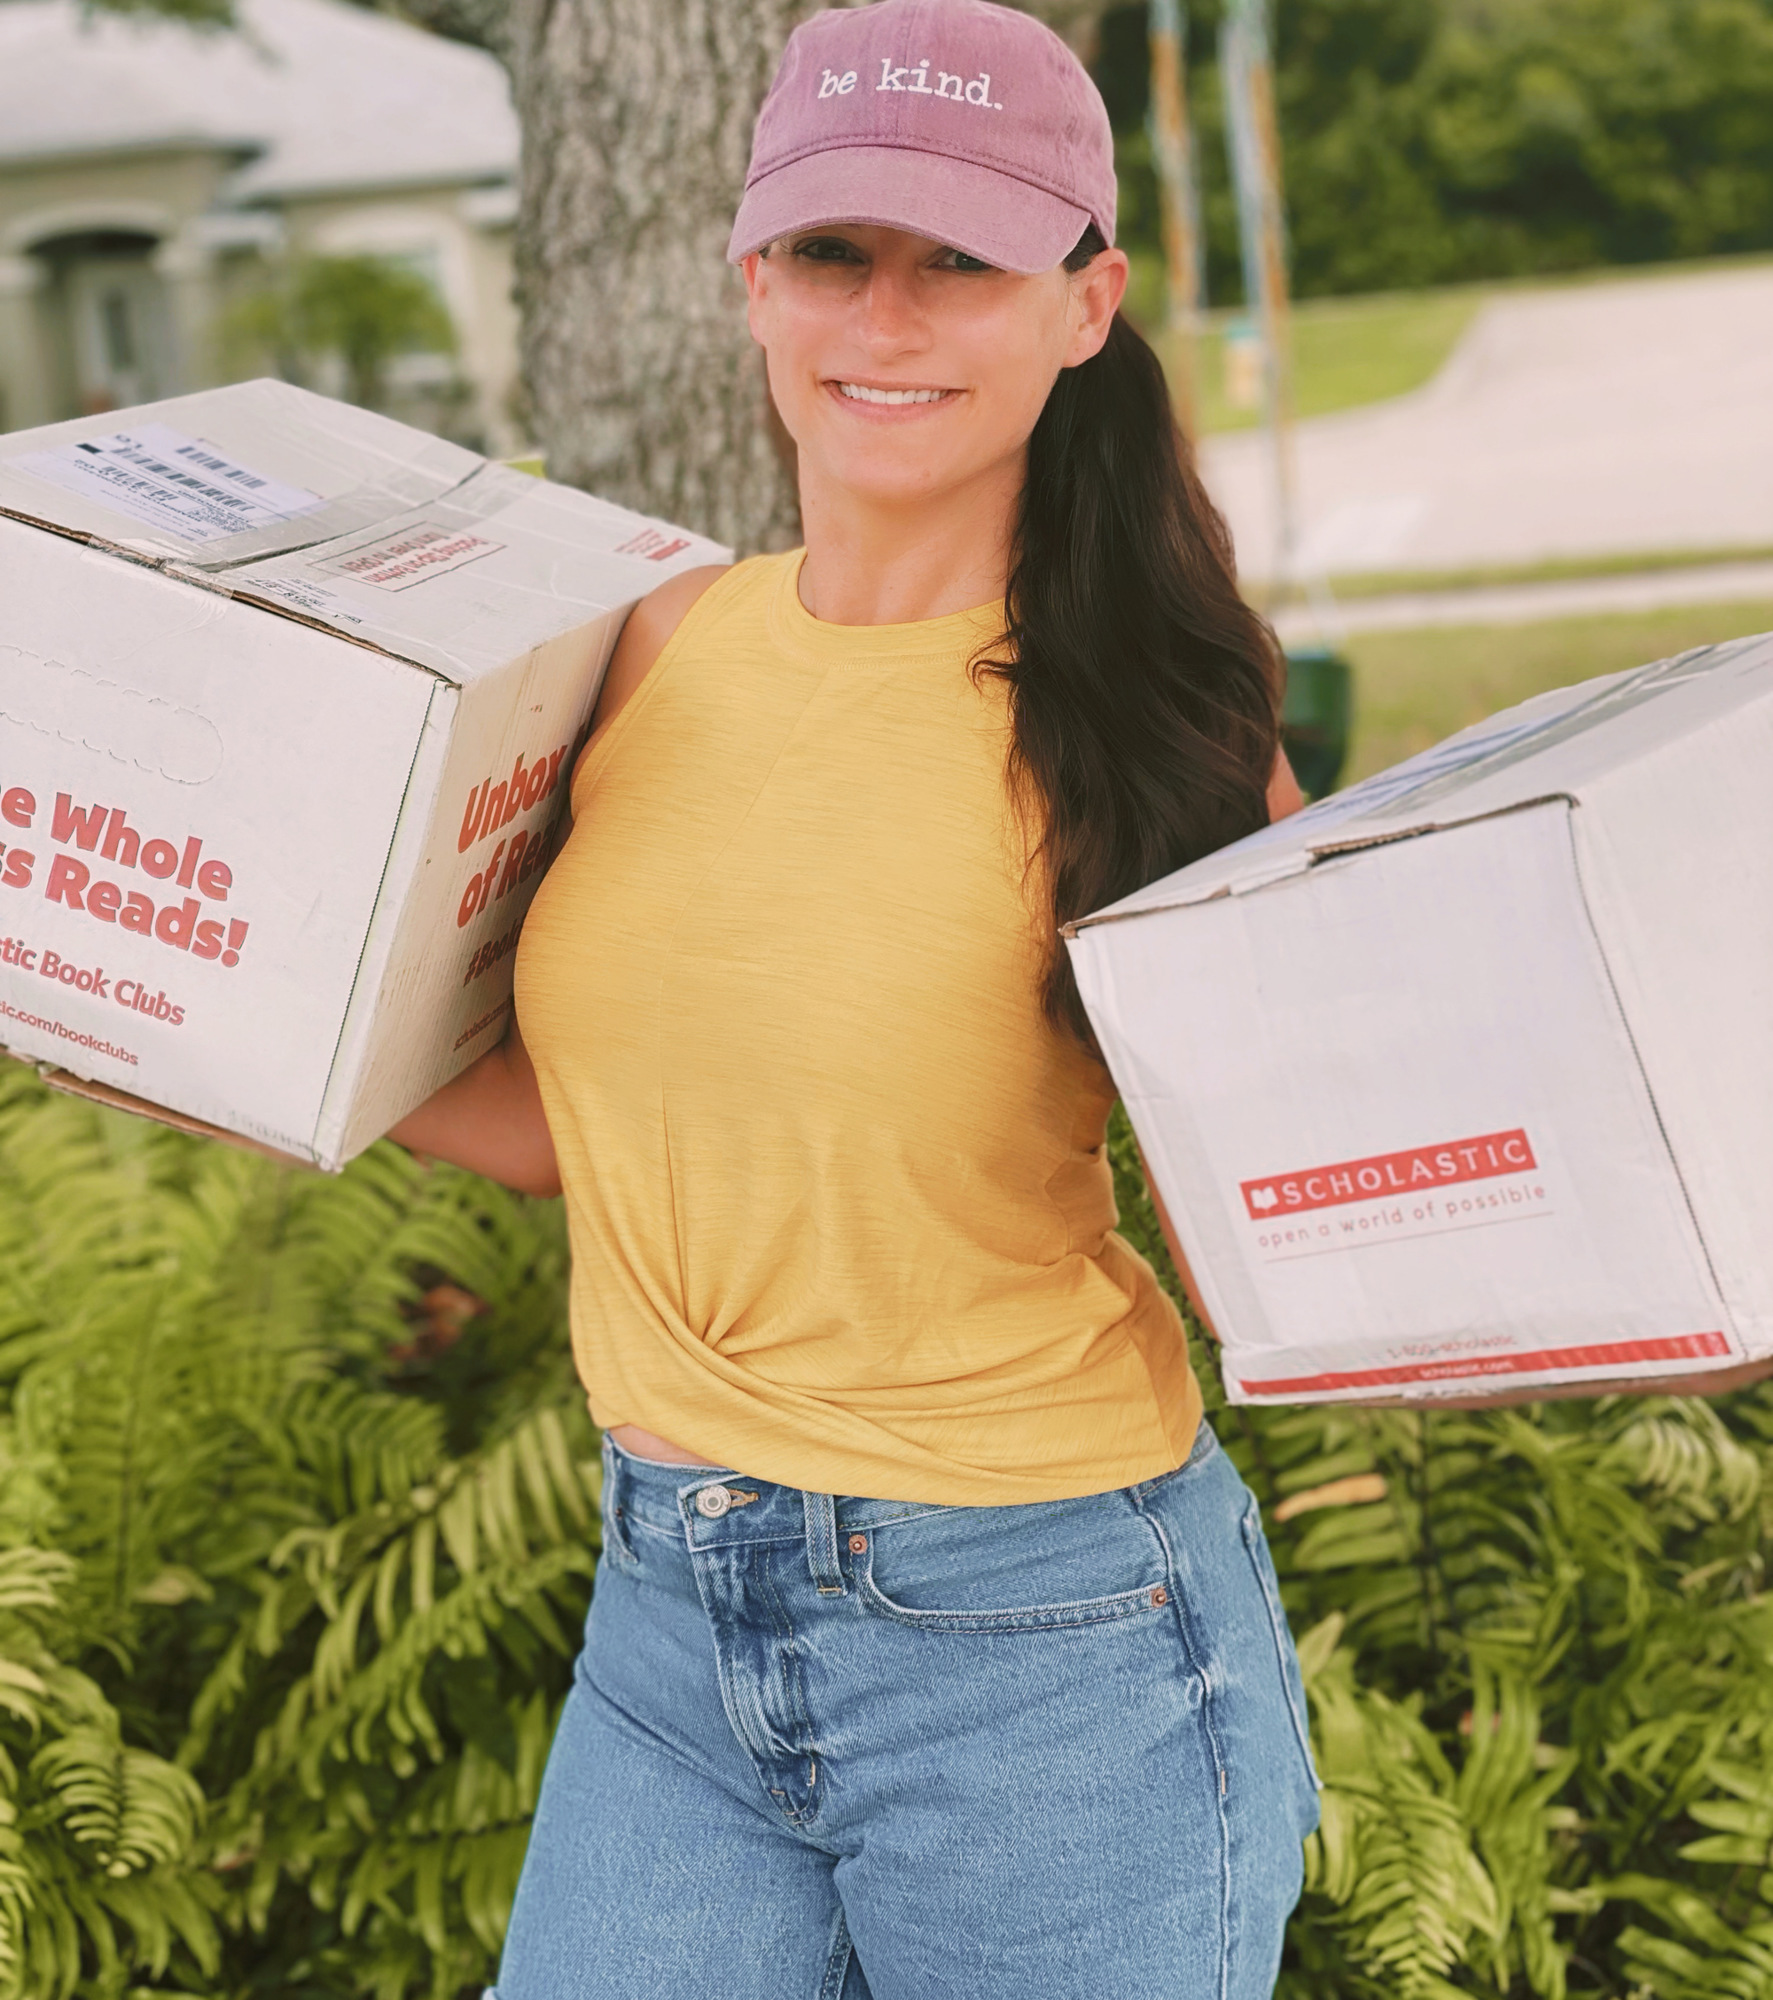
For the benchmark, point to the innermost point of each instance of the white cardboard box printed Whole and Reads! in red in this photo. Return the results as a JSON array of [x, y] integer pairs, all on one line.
[[289, 701]]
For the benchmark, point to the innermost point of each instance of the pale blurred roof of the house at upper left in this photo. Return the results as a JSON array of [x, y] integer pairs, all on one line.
[[313, 95]]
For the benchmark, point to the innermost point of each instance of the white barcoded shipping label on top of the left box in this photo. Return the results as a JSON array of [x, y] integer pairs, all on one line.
[[185, 487]]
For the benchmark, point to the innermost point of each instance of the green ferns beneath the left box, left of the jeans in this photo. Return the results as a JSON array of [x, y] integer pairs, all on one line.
[[289, 1575]]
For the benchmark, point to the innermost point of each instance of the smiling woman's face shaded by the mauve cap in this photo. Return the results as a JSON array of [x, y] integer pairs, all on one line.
[[904, 369]]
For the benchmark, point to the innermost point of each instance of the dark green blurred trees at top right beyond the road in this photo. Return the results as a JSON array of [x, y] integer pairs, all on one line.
[[1436, 141]]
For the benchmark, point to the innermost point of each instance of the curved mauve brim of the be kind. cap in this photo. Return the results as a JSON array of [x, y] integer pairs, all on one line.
[[976, 209]]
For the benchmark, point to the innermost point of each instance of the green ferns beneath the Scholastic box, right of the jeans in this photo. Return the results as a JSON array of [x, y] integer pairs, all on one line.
[[1540, 1659]]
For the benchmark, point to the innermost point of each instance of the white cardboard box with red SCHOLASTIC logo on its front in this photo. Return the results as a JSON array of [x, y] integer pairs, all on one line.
[[1468, 1073]]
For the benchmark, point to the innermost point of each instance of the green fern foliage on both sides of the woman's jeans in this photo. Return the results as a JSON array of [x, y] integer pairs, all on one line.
[[297, 1523]]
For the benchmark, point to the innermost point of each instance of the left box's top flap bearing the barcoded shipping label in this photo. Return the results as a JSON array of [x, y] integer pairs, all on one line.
[[227, 475]]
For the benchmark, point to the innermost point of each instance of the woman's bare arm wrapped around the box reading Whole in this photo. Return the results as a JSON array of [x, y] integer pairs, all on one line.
[[491, 1117]]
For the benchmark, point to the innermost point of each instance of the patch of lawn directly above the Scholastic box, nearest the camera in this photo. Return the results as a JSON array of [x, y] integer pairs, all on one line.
[[1412, 689]]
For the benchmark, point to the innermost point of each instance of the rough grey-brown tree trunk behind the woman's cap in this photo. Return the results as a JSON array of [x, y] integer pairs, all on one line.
[[637, 117]]
